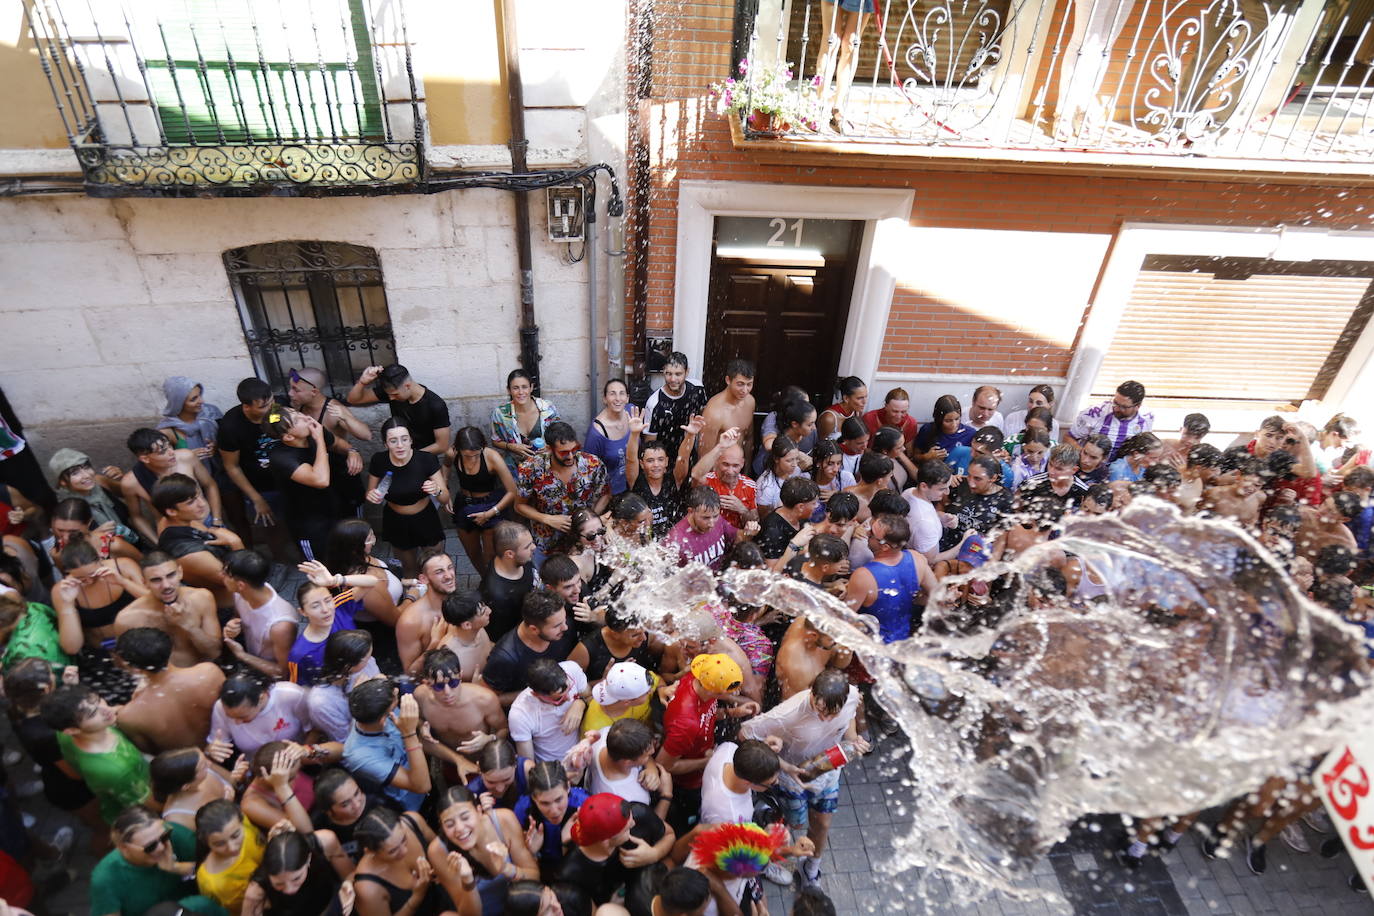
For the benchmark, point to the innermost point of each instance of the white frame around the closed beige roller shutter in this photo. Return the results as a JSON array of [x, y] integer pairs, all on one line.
[[1138, 241]]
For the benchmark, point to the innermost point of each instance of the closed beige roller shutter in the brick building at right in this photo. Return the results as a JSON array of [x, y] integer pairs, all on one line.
[[1239, 329]]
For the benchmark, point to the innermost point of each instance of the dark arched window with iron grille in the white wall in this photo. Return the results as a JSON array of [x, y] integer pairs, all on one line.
[[313, 304]]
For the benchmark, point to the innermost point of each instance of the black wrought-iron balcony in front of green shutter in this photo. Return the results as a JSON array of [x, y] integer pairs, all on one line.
[[254, 97]]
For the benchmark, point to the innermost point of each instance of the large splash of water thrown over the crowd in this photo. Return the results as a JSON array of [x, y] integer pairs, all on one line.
[[1195, 672]]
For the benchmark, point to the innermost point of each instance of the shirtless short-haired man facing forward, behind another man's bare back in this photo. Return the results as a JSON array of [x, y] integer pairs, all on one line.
[[183, 613]]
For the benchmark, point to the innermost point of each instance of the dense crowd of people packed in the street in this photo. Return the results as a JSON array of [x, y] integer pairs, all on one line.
[[392, 744]]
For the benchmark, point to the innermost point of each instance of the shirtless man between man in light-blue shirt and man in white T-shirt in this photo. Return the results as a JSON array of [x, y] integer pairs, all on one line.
[[464, 718]]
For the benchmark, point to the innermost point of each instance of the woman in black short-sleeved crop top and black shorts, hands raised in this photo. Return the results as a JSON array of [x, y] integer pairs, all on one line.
[[410, 520]]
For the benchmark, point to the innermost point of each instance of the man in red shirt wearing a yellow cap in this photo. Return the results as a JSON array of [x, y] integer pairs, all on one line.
[[690, 729]]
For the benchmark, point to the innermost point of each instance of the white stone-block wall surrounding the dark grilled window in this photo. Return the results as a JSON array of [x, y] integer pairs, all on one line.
[[105, 299]]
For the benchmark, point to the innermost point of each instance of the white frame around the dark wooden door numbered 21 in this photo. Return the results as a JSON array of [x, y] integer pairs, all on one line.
[[887, 214]]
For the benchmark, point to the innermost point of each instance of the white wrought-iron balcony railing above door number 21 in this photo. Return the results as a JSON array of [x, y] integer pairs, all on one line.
[[1287, 80]]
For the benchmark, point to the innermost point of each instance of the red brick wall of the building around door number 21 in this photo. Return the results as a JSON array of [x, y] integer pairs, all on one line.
[[686, 139]]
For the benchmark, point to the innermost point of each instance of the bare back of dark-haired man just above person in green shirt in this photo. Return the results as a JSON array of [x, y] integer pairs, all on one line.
[[172, 711]]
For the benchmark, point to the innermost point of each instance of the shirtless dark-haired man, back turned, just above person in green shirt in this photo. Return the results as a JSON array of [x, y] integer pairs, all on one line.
[[172, 708]]
